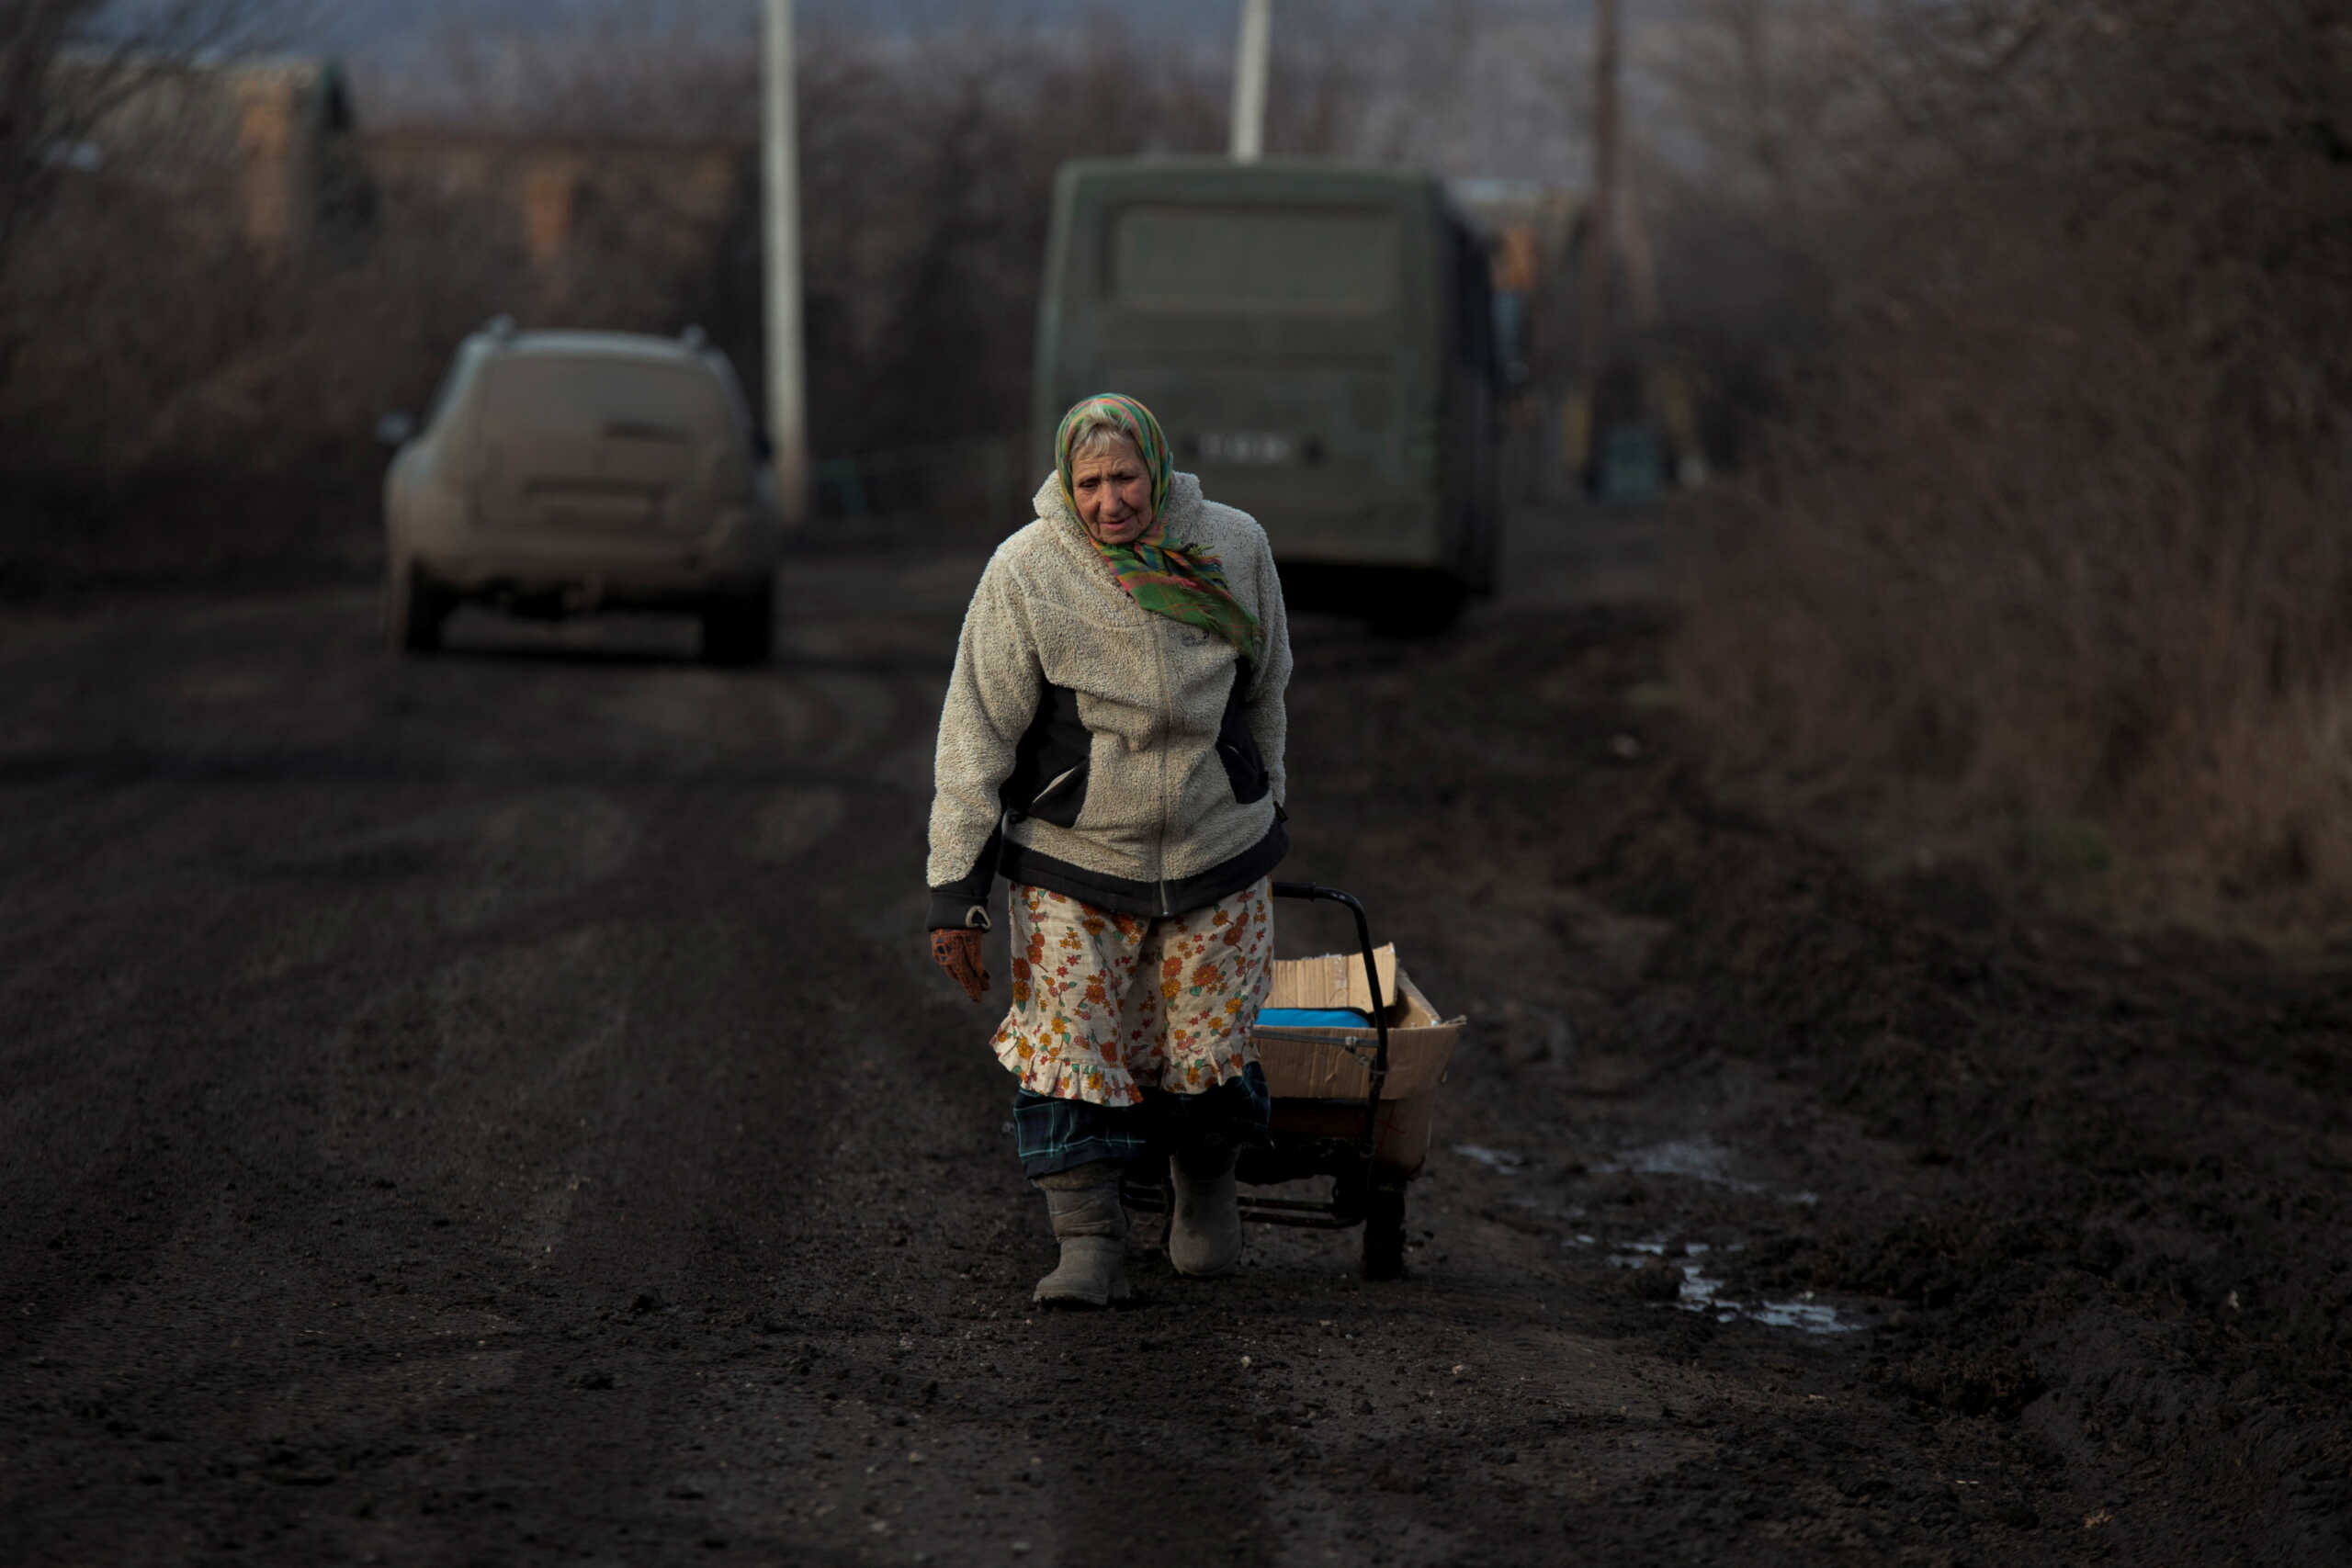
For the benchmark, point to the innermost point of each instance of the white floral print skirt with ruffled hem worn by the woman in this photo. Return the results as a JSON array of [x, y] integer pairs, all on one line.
[[1114, 1005]]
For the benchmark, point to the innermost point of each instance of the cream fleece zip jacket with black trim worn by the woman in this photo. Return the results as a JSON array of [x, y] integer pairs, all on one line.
[[1102, 751]]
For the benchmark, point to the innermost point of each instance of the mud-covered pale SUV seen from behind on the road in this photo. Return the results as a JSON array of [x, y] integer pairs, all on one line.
[[573, 471]]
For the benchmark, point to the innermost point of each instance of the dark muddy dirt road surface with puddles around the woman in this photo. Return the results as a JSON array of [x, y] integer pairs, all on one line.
[[497, 1111]]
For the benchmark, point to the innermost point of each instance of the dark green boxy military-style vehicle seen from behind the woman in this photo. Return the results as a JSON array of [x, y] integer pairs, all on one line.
[[1318, 344]]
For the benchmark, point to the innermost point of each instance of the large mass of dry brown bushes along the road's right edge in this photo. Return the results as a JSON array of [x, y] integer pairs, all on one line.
[[2047, 558]]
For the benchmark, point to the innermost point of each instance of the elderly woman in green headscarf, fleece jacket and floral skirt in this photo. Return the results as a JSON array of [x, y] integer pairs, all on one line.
[[1114, 744]]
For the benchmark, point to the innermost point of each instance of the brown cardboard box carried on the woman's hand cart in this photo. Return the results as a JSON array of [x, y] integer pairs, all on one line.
[[1321, 1076]]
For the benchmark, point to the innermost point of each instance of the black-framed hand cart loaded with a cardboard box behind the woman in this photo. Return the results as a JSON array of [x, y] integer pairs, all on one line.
[[1351, 1099]]
